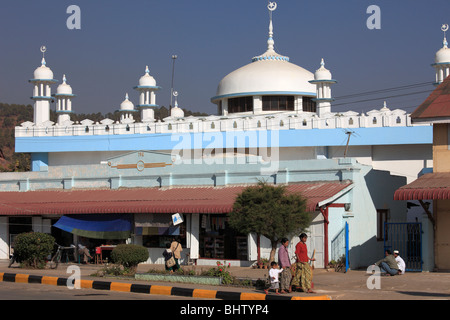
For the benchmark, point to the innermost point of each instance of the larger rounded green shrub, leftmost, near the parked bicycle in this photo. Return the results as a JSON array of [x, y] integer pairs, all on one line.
[[32, 248]]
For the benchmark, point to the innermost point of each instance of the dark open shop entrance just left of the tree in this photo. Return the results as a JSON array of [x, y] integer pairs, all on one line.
[[219, 241]]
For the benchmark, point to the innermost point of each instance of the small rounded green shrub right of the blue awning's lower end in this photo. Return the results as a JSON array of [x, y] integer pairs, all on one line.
[[129, 255]]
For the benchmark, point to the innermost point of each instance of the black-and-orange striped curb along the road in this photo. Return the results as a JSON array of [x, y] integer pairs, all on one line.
[[149, 289]]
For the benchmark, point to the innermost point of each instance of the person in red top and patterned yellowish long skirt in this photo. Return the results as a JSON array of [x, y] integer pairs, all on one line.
[[303, 272]]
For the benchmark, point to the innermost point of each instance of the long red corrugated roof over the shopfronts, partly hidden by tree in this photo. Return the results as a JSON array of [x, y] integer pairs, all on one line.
[[148, 200]]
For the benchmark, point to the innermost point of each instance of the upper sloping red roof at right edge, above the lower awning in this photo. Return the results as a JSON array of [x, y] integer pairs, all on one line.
[[437, 105]]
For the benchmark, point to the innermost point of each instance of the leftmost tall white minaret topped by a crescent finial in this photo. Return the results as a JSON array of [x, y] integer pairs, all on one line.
[[42, 95]]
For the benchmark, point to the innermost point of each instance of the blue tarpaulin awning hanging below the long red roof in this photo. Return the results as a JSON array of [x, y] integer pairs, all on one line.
[[97, 226]]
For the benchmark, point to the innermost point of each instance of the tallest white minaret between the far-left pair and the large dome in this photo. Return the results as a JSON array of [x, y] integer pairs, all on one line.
[[147, 98]]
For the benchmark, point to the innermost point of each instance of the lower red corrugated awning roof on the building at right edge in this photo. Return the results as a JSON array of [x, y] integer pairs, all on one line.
[[430, 186]]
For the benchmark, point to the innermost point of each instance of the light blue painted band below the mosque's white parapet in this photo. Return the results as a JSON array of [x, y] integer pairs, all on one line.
[[218, 139]]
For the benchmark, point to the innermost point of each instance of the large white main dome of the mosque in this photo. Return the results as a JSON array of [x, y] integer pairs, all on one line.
[[267, 76]]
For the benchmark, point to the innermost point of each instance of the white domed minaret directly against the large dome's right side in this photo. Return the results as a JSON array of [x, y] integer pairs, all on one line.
[[323, 82]]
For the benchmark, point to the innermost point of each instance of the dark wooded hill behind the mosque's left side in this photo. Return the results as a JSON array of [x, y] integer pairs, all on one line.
[[12, 115]]
